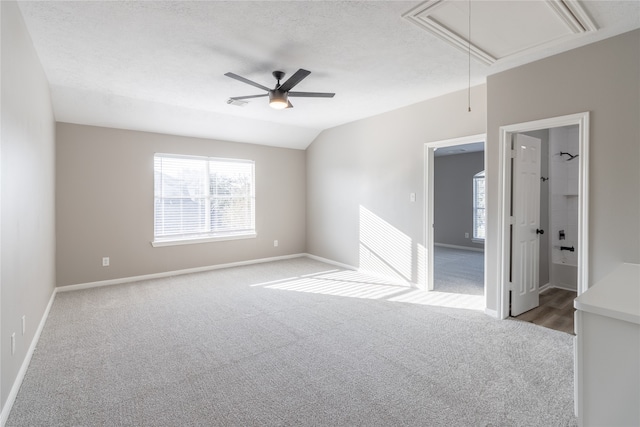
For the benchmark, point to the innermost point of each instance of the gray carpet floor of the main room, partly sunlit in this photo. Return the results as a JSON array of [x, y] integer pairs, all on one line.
[[234, 348]]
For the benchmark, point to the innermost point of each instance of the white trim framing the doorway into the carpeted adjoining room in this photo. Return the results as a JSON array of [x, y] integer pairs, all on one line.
[[429, 150]]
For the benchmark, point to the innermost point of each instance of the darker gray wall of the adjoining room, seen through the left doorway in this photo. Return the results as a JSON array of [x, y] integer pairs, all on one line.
[[453, 193]]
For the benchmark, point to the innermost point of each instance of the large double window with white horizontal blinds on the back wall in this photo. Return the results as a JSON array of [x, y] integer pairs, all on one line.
[[202, 199]]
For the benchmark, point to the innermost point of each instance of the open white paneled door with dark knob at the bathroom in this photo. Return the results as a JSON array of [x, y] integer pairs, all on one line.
[[525, 247]]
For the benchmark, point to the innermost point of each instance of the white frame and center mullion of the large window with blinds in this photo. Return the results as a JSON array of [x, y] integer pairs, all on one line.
[[207, 235]]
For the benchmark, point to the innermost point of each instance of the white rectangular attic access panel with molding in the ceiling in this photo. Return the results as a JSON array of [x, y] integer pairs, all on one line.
[[500, 29]]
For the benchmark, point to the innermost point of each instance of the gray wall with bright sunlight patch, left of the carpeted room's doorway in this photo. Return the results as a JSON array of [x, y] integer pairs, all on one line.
[[360, 176]]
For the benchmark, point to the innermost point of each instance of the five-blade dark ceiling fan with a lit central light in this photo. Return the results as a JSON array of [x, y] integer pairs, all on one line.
[[279, 95]]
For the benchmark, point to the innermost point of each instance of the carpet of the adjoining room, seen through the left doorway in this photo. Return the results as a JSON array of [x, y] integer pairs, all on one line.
[[458, 271]]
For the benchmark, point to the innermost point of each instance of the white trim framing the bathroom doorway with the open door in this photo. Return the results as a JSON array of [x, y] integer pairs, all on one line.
[[504, 199]]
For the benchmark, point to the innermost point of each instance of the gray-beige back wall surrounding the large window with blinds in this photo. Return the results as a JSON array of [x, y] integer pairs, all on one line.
[[104, 195]]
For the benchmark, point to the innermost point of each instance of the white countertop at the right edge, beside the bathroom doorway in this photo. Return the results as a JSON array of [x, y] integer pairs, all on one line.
[[616, 296]]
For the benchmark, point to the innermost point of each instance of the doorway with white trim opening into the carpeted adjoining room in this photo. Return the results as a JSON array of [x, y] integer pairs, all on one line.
[[450, 238]]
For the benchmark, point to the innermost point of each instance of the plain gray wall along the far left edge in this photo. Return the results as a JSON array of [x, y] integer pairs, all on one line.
[[27, 223]]
